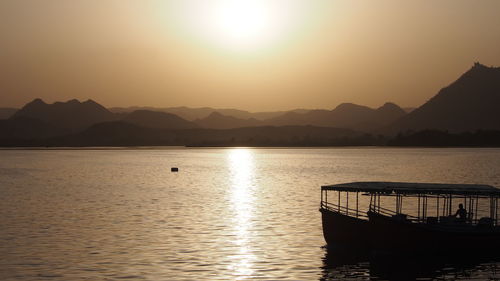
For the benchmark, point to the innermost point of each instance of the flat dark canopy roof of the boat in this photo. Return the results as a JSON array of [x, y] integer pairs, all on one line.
[[416, 188]]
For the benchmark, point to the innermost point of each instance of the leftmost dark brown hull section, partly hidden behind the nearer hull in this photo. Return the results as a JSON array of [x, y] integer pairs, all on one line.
[[342, 231]]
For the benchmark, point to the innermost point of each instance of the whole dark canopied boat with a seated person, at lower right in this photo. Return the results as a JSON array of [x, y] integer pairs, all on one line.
[[411, 217]]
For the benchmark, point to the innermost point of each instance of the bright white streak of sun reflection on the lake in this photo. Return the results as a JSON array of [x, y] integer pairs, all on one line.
[[242, 173]]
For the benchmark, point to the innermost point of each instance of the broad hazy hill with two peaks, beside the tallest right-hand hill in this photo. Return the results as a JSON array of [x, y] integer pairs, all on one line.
[[346, 115]]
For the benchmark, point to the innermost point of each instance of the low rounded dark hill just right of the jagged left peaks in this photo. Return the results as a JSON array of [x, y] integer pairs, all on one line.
[[159, 120]]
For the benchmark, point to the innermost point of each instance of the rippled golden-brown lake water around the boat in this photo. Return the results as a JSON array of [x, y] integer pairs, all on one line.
[[228, 214]]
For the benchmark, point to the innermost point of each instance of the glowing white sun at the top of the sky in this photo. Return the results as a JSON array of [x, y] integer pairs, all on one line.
[[241, 24]]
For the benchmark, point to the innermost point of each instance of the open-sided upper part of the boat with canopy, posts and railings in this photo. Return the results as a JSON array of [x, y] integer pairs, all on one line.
[[431, 203]]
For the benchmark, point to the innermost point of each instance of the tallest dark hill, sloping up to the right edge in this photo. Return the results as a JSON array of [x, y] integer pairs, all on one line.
[[470, 103]]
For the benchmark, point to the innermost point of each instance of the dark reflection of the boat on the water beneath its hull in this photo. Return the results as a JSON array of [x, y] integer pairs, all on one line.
[[351, 264]]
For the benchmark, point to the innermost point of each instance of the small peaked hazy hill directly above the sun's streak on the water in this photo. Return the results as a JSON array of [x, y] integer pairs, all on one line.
[[218, 121]]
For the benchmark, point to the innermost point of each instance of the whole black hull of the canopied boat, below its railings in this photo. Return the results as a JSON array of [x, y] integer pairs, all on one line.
[[385, 235]]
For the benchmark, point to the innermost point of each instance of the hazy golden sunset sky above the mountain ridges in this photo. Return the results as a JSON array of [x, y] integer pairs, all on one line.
[[249, 54]]
